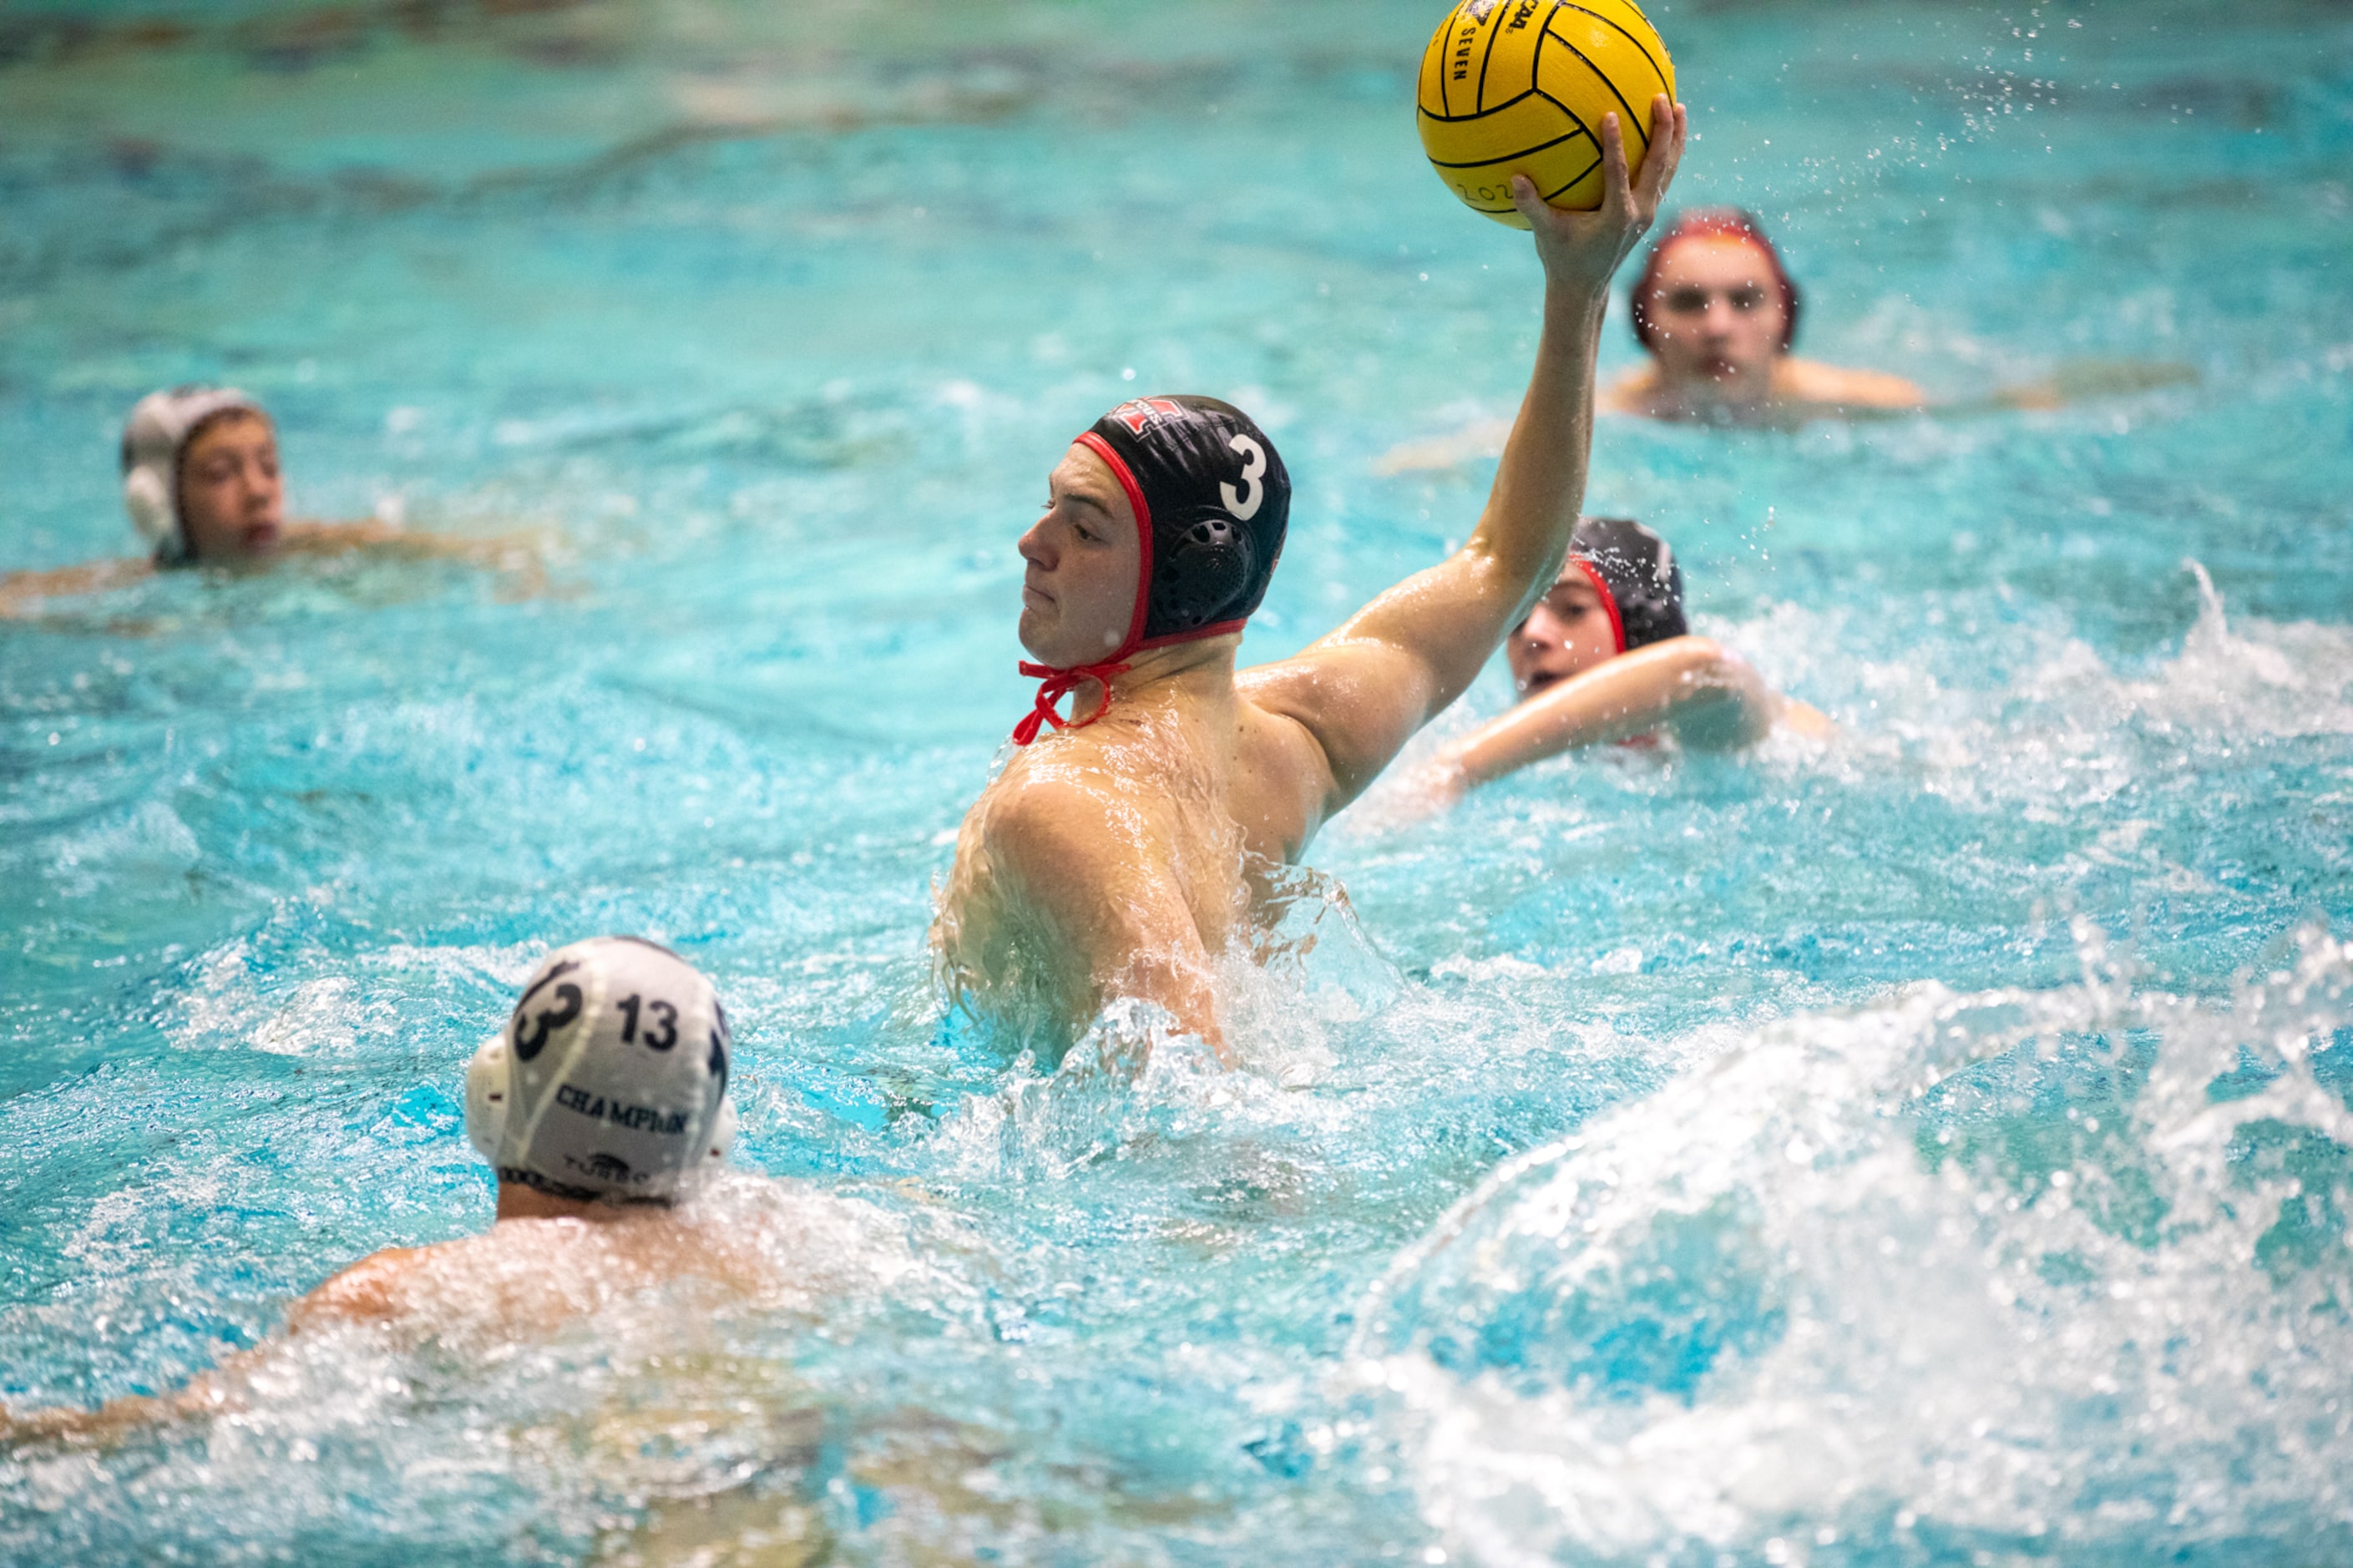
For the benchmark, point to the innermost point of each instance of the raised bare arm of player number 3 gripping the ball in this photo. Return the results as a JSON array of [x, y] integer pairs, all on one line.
[[1366, 689]]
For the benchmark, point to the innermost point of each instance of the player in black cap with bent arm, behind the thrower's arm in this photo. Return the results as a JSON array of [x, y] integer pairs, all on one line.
[[1606, 656]]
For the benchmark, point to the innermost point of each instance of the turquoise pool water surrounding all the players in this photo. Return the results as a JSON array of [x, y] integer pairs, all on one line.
[[1924, 1148]]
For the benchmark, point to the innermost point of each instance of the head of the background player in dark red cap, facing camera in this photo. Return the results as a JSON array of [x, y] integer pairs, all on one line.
[[1714, 305]]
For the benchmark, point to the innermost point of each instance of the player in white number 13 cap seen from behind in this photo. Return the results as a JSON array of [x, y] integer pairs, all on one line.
[[604, 1108]]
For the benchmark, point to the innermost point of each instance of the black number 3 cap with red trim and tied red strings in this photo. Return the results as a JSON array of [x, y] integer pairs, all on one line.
[[1213, 505]]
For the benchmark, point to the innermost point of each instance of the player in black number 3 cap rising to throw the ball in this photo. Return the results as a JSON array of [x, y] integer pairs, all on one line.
[[1116, 856]]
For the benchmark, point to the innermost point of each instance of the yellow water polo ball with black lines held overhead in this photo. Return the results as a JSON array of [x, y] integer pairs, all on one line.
[[1521, 88]]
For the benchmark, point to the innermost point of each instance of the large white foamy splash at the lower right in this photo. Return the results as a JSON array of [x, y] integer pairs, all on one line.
[[1851, 1294]]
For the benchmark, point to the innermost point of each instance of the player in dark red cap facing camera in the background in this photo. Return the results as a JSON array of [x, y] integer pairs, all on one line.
[[1719, 314]]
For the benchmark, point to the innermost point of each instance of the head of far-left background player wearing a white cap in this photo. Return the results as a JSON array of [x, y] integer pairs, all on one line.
[[201, 477]]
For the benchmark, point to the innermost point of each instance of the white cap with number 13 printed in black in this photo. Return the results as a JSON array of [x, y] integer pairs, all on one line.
[[611, 1079]]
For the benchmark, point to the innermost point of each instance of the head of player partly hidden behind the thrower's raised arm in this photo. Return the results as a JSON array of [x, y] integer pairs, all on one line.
[[1620, 590]]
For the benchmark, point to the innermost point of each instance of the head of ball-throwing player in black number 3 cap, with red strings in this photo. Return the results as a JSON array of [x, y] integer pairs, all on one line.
[[1164, 526]]
